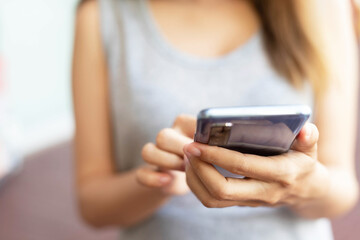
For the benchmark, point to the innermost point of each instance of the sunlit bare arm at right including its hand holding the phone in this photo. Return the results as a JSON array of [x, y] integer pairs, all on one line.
[[317, 178]]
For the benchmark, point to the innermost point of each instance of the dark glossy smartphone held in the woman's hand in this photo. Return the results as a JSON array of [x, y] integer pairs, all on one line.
[[260, 130]]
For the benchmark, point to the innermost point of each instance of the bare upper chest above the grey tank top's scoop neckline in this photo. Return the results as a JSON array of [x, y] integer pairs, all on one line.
[[208, 29]]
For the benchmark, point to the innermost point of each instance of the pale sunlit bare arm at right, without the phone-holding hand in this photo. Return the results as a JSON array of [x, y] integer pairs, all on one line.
[[331, 25]]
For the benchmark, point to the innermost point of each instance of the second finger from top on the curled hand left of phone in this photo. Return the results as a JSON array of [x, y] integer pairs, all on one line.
[[172, 141]]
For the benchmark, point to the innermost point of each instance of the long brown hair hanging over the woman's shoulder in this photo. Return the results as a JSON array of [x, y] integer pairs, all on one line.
[[289, 46]]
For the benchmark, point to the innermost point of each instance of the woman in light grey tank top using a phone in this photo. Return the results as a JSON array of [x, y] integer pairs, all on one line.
[[139, 66]]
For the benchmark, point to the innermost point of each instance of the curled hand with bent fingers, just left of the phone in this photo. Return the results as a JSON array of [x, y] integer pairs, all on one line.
[[165, 159]]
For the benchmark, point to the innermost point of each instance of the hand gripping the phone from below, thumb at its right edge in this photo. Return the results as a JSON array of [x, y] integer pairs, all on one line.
[[292, 179]]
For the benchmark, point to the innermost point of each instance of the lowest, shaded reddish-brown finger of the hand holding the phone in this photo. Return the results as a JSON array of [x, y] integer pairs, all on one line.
[[201, 192]]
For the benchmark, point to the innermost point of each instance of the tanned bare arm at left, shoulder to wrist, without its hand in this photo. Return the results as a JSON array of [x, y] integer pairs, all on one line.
[[105, 197]]
